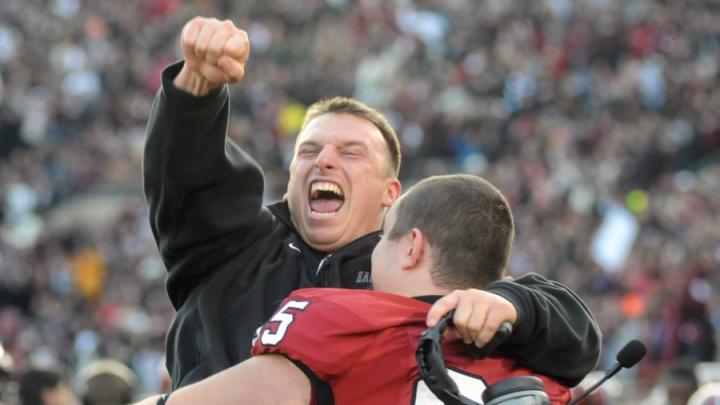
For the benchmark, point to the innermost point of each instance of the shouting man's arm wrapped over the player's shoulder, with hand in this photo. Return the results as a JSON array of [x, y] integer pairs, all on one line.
[[554, 332]]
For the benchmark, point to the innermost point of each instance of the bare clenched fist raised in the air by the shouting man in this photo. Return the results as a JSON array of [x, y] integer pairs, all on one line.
[[215, 53]]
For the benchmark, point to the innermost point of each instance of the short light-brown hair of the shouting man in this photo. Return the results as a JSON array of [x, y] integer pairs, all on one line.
[[346, 105]]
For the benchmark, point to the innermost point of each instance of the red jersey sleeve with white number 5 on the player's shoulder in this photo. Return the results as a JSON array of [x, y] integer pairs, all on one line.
[[321, 334]]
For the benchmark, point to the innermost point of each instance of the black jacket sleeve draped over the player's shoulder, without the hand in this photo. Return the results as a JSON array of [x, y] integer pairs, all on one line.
[[555, 333]]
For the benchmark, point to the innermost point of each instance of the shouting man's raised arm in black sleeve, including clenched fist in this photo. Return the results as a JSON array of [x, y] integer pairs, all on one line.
[[204, 193]]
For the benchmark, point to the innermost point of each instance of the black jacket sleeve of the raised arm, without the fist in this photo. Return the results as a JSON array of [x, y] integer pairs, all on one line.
[[204, 193]]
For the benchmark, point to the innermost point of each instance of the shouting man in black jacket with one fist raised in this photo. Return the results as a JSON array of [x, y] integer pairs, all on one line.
[[231, 260]]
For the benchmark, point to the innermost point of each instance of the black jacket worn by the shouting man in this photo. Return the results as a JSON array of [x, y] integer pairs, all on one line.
[[231, 259]]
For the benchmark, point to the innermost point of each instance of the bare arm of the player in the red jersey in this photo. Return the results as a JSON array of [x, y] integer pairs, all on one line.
[[266, 379]]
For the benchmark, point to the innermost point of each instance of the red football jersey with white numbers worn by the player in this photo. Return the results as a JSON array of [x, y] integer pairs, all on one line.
[[362, 343]]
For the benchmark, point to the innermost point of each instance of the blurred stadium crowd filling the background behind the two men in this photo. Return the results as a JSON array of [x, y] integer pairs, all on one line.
[[597, 118]]
